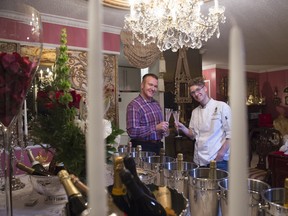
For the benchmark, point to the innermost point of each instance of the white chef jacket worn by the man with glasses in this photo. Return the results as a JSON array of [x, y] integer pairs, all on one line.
[[211, 126]]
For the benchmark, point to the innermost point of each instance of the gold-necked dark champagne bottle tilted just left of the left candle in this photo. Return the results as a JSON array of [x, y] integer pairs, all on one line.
[[77, 206]]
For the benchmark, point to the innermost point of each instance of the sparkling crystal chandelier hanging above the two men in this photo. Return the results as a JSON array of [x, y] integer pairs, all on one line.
[[173, 24]]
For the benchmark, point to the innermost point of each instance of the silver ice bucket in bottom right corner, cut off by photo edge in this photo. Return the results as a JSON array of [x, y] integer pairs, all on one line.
[[274, 200]]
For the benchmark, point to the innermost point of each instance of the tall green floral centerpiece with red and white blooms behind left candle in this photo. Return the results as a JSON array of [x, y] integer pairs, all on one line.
[[58, 122]]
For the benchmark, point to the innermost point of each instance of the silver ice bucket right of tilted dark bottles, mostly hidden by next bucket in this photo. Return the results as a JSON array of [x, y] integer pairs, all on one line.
[[154, 163]]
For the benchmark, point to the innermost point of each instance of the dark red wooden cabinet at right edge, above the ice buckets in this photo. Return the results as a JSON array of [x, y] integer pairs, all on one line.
[[278, 164]]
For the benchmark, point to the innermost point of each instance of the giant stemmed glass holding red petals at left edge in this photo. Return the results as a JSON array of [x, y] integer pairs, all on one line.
[[19, 22]]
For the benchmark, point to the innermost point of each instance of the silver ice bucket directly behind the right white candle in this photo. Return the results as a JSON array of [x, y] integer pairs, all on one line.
[[255, 188]]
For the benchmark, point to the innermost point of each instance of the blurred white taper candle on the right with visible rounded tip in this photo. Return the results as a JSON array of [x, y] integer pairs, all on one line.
[[238, 165]]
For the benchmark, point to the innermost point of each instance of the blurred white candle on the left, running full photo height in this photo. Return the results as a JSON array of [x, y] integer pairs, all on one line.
[[95, 137]]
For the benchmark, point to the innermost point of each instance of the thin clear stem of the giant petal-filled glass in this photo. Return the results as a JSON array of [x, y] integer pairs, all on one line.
[[8, 170]]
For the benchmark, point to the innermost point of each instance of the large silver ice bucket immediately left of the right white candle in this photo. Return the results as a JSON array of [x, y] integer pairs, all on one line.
[[203, 192]]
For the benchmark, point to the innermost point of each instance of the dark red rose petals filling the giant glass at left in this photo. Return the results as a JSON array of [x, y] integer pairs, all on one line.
[[16, 74]]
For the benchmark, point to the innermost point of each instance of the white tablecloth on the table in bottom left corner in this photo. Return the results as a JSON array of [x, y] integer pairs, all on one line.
[[24, 195]]
